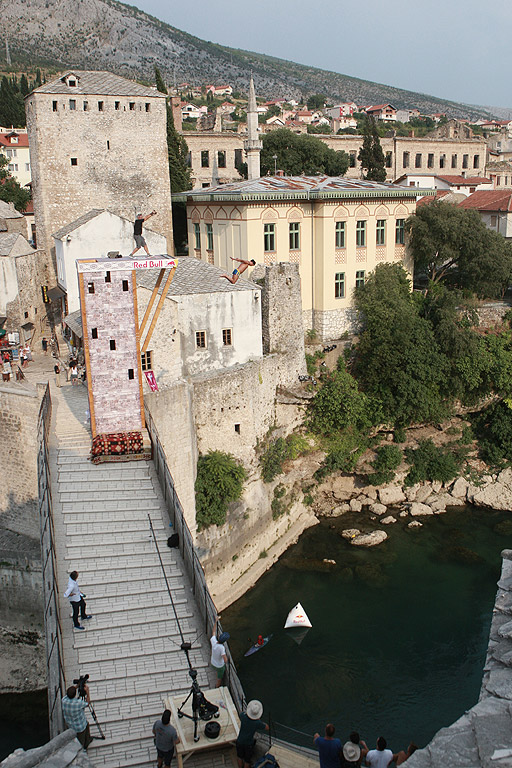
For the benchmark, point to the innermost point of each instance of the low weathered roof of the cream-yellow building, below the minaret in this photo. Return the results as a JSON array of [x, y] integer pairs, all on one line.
[[297, 186]]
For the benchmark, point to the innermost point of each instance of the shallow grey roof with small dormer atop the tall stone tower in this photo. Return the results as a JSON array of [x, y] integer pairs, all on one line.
[[98, 84]]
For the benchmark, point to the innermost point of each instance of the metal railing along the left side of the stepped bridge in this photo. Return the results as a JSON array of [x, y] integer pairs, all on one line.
[[53, 630]]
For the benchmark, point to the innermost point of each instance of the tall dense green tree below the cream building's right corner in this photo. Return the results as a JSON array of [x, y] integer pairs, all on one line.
[[398, 361]]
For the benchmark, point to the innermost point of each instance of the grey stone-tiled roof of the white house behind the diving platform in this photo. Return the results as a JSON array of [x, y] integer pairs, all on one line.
[[194, 276]]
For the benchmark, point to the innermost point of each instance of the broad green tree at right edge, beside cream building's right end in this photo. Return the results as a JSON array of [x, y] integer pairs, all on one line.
[[452, 244]]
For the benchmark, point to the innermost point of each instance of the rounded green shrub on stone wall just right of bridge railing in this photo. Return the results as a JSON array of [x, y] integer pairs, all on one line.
[[219, 481]]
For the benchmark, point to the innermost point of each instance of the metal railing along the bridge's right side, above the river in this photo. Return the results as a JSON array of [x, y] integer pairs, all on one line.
[[191, 561]]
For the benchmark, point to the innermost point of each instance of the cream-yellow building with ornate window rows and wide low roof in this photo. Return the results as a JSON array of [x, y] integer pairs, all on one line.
[[337, 230]]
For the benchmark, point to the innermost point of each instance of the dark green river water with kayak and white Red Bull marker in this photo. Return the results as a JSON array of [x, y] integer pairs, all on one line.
[[399, 632]]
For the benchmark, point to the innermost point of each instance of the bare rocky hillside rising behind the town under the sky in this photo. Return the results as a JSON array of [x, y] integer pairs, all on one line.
[[105, 34]]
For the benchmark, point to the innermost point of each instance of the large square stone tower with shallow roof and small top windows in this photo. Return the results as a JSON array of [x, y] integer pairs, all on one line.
[[97, 141]]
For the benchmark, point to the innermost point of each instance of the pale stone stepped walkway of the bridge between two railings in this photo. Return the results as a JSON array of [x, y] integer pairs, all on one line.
[[130, 647]]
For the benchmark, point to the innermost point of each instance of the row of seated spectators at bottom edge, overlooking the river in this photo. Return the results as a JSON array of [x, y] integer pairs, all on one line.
[[355, 753]]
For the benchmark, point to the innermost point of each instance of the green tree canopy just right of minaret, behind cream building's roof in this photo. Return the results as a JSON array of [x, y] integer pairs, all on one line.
[[300, 154]]
